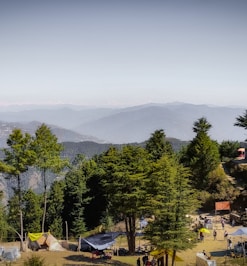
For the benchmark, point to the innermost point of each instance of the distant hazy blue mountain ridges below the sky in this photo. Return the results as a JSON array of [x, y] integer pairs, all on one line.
[[127, 125]]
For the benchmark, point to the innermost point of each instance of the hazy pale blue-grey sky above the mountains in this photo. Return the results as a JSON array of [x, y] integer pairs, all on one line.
[[123, 52]]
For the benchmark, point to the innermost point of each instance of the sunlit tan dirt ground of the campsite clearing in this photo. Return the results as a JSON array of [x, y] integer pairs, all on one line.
[[217, 248]]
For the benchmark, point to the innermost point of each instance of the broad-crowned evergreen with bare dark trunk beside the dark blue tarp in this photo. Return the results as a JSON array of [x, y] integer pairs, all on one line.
[[124, 184]]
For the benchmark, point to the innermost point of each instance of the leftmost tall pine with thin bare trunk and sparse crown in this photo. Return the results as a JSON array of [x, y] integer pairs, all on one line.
[[18, 157]]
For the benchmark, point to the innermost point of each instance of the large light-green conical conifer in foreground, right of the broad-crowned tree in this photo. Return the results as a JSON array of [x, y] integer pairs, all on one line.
[[170, 200]]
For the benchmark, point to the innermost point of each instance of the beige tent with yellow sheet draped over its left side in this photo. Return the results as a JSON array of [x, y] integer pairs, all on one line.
[[47, 241]]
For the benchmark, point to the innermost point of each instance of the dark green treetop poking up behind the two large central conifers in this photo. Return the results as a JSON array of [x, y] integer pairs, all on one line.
[[157, 145]]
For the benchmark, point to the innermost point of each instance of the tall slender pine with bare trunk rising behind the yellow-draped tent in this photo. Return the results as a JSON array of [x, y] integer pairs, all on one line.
[[48, 158]]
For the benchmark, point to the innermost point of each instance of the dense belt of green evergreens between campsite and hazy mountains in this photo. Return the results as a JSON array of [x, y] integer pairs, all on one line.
[[86, 185]]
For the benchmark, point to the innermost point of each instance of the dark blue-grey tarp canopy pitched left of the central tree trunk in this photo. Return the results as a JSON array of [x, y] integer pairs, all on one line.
[[101, 241]]
